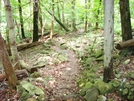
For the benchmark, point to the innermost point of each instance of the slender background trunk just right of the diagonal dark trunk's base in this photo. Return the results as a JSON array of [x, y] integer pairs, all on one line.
[[73, 16]]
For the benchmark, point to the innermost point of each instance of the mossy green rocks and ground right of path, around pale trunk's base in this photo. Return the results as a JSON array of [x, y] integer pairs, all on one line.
[[91, 82]]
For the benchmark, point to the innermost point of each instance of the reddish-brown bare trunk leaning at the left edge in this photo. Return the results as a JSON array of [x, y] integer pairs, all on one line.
[[10, 74]]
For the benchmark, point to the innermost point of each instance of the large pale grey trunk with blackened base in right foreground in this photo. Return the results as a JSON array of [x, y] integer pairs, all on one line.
[[108, 39]]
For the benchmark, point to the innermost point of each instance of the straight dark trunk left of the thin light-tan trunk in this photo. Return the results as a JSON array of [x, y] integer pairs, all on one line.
[[35, 21]]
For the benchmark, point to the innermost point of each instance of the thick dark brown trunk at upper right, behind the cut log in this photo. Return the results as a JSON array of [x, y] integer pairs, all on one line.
[[125, 20]]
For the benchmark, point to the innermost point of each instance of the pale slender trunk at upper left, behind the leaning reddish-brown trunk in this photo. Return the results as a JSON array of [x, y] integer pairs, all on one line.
[[12, 36]]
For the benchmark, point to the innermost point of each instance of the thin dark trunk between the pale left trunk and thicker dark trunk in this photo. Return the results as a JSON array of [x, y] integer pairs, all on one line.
[[21, 20]]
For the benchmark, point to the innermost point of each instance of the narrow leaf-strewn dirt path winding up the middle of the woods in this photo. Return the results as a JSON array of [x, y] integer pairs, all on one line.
[[63, 86]]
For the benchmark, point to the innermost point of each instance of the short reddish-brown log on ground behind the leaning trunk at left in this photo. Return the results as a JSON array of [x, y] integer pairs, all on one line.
[[19, 73]]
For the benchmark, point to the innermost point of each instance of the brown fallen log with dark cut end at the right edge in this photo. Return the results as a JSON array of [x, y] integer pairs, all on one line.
[[125, 44]]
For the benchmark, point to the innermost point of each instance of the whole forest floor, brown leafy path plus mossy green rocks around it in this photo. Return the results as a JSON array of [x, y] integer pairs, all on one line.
[[72, 70]]
